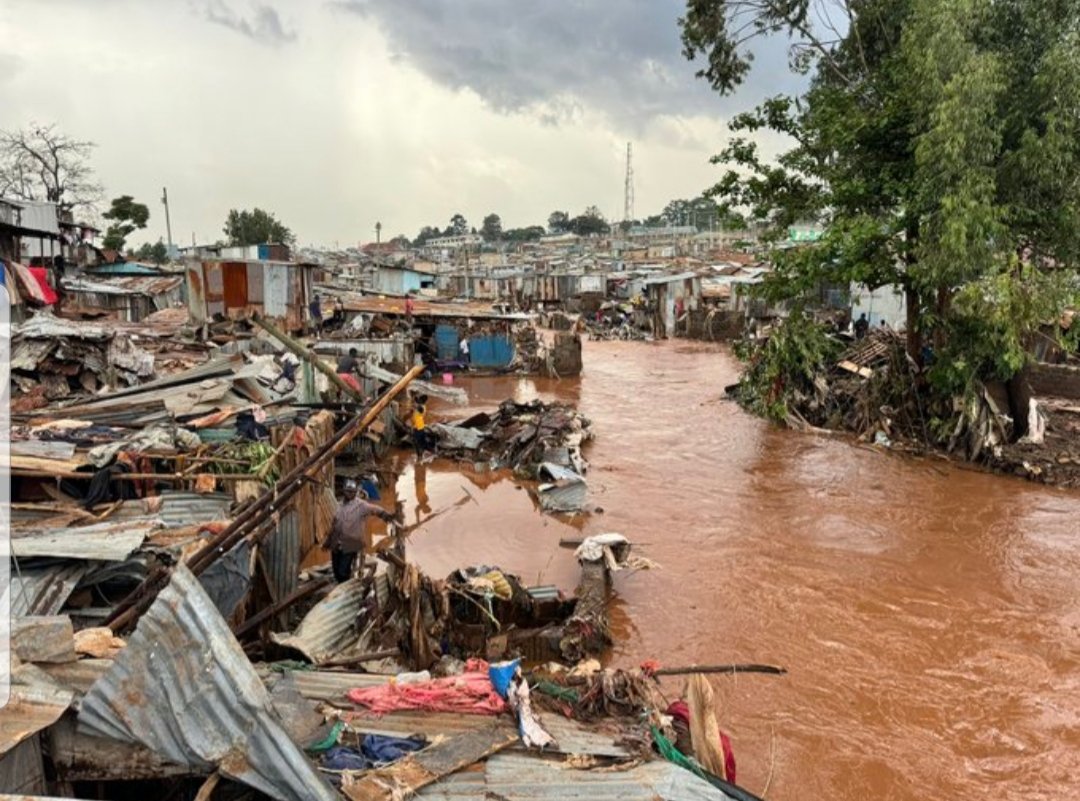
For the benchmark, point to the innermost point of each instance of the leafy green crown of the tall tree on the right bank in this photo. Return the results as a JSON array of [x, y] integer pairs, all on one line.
[[939, 146]]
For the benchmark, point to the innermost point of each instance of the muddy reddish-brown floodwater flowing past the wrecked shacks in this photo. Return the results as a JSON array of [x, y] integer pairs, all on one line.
[[929, 617]]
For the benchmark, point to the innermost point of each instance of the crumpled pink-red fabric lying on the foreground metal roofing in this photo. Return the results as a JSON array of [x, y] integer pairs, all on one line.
[[471, 694]]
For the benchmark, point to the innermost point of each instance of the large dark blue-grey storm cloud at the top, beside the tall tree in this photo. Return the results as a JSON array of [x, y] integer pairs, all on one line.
[[559, 57]]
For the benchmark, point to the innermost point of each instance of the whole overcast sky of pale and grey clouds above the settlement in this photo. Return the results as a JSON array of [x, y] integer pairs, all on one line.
[[337, 115]]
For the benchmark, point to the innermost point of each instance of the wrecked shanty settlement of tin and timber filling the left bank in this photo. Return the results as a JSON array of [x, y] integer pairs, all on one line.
[[199, 607]]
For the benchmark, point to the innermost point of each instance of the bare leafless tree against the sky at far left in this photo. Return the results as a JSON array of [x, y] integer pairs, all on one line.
[[40, 164]]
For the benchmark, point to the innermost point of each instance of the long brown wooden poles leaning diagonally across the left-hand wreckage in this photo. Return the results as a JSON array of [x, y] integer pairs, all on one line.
[[258, 520]]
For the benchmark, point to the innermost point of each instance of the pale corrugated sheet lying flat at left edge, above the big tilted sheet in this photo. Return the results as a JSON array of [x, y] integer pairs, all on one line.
[[112, 541]]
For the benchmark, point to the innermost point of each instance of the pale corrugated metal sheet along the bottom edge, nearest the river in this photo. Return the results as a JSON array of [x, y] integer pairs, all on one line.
[[514, 777]]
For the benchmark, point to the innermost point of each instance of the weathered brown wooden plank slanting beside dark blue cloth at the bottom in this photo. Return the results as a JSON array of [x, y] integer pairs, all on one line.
[[441, 759]]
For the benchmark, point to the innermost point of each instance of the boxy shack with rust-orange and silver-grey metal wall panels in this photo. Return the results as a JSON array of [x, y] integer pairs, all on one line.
[[222, 289]]
